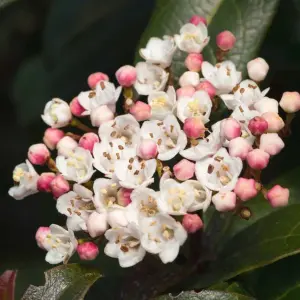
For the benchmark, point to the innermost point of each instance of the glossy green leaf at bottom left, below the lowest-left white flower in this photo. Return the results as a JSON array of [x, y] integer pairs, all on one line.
[[64, 282]]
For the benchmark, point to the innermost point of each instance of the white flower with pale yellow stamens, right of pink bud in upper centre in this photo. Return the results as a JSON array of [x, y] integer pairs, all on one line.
[[162, 104]]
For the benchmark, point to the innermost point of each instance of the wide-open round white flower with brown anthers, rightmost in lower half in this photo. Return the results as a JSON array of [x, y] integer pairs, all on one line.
[[220, 171]]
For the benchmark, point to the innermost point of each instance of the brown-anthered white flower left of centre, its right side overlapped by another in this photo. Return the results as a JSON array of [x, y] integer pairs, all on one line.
[[106, 154]]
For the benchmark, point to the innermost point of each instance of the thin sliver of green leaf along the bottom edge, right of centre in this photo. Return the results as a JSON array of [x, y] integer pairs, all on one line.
[[206, 295]]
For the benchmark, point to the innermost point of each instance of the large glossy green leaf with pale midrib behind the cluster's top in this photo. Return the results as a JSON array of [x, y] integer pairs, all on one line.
[[249, 20]]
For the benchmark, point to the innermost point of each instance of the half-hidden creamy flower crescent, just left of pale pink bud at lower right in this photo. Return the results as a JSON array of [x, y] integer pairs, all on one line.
[[202, 196]]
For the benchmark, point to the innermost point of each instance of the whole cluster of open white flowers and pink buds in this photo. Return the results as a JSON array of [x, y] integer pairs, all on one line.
[[143, 178]]
